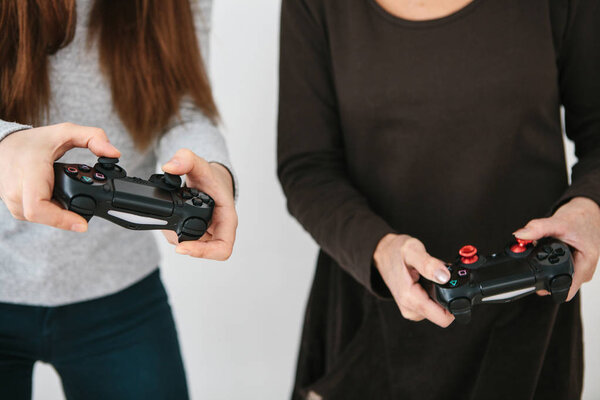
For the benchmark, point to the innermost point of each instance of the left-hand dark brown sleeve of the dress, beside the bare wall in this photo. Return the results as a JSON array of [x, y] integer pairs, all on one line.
[[311, 164]]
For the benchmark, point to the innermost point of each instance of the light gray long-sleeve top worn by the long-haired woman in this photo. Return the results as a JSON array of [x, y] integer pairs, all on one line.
[[40, 265]]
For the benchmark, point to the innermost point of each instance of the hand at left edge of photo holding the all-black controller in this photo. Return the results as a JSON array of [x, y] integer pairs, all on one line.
[[27, 172]]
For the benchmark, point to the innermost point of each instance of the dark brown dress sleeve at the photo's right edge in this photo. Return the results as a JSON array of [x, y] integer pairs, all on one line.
[[579, 74]]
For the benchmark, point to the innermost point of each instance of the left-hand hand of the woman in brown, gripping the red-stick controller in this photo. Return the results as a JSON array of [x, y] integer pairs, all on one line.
[[401, 260]]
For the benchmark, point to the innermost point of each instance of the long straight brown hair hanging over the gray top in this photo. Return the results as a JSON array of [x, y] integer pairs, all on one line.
[[148, 51]]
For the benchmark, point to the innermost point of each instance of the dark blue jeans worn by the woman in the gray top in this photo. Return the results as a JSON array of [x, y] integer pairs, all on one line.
[[122, 346]]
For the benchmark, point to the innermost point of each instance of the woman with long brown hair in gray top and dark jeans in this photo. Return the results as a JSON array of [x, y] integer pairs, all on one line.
[[117, 79]]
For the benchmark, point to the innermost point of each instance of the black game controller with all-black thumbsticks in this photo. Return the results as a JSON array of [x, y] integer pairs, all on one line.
[[158, 203]]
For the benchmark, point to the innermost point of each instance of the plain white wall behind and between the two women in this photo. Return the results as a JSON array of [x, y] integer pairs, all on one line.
[[239, 322]]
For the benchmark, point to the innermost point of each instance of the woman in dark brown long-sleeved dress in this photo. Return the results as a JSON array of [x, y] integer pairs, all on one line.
[[409, 129]]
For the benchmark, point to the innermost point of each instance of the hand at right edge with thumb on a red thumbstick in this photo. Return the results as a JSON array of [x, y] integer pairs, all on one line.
[[577, 223]]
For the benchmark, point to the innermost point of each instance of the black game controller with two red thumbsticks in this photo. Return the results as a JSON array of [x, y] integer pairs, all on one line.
[[518, 271]]
